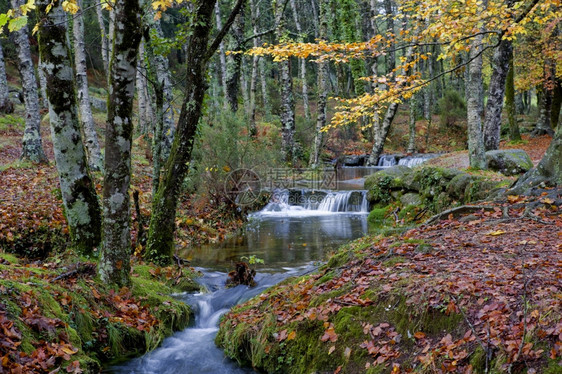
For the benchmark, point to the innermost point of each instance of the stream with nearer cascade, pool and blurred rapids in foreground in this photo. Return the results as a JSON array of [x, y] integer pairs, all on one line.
[[294, 231]]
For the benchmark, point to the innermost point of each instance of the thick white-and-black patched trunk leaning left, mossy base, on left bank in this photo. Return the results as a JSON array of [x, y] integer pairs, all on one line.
[[81, 204]]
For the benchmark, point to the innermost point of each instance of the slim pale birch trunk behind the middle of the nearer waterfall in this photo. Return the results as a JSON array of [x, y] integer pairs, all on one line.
[[322, 83]]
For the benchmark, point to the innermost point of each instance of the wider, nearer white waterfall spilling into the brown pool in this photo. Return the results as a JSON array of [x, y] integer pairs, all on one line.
[[316, 201]]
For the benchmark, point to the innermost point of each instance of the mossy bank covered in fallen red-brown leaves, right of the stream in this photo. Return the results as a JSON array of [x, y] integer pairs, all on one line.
[[478, 292]]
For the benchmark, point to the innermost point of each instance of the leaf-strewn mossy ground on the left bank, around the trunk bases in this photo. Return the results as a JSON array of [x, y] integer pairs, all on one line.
[[54, 310]]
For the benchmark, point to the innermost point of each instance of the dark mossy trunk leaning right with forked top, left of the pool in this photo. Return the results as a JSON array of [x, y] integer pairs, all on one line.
[[160, 244]]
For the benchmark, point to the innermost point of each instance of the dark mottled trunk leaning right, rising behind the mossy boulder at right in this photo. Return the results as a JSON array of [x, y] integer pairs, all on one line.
[[494, 106]]
